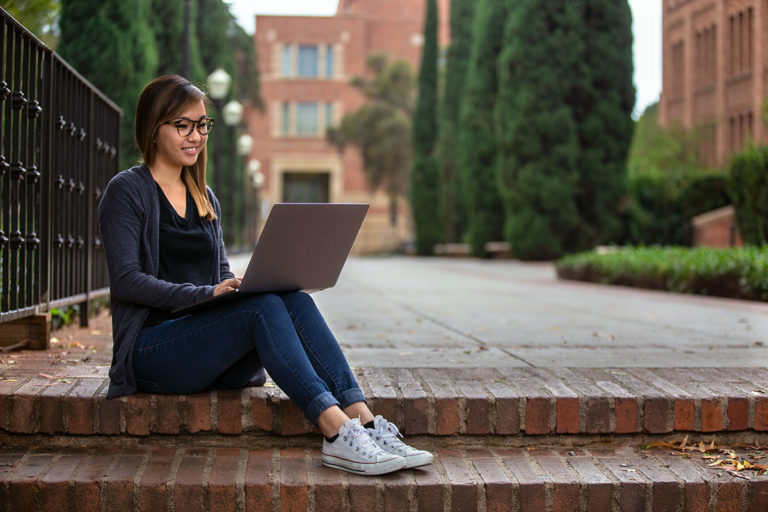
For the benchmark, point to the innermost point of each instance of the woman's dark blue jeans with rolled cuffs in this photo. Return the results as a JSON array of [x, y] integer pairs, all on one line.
[[230, 345]]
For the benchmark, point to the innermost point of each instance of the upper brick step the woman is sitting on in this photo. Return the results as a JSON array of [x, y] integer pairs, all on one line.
[[433, 401]]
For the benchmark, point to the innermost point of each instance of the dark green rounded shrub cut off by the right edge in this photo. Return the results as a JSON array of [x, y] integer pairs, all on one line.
[[749, 192]]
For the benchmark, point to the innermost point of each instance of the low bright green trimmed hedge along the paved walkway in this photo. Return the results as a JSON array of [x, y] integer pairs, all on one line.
[[740, 272]]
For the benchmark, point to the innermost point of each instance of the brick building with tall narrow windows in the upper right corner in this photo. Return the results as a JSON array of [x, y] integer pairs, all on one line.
[[714, 72]]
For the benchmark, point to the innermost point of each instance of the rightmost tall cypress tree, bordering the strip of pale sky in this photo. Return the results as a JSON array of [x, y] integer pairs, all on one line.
[[603, 113]]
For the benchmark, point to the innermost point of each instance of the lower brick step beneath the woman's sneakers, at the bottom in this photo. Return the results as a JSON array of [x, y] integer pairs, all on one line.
[[461, 479]]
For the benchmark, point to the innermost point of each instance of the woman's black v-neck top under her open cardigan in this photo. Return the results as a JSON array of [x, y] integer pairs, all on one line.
[[186, 249]]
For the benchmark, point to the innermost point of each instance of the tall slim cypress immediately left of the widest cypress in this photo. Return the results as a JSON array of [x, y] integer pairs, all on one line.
[[477, 148]]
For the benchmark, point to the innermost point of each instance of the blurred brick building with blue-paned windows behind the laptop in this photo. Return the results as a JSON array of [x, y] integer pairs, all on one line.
[[306, 64]]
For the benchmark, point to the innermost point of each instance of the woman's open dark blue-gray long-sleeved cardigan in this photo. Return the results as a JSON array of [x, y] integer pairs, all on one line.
[[129, 218]]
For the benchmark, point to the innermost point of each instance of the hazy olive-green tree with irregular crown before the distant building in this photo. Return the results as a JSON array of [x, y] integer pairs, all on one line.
[[381, 128]]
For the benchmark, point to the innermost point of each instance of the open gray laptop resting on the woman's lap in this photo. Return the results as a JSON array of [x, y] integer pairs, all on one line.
[[303, 246]]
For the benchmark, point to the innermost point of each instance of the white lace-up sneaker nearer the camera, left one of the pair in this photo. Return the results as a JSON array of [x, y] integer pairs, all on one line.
[[355, 451]]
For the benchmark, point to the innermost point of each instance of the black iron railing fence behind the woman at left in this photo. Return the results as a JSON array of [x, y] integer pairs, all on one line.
[[58, 149]]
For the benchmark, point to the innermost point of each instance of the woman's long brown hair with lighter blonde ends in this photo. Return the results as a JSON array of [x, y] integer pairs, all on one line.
[[162, 100]]
